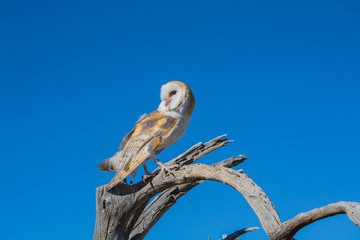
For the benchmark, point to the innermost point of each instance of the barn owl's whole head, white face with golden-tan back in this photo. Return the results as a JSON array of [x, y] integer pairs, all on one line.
[[177, 97]]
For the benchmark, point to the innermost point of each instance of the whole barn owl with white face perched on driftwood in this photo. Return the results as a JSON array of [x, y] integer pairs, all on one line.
[[153, 133]]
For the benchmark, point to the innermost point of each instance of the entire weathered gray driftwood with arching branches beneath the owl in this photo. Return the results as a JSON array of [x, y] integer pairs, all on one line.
[[126, 212]]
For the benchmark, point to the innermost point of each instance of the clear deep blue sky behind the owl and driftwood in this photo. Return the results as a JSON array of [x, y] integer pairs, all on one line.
[[282, 78]]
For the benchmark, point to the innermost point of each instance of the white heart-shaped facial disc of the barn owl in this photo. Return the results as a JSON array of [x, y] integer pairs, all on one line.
[[172, 95]]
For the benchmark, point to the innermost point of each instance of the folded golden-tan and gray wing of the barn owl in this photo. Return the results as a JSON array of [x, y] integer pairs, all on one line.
[[146, 136]]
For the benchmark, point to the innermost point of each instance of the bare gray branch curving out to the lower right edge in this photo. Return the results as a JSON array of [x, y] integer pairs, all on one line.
[[288, 229]]
